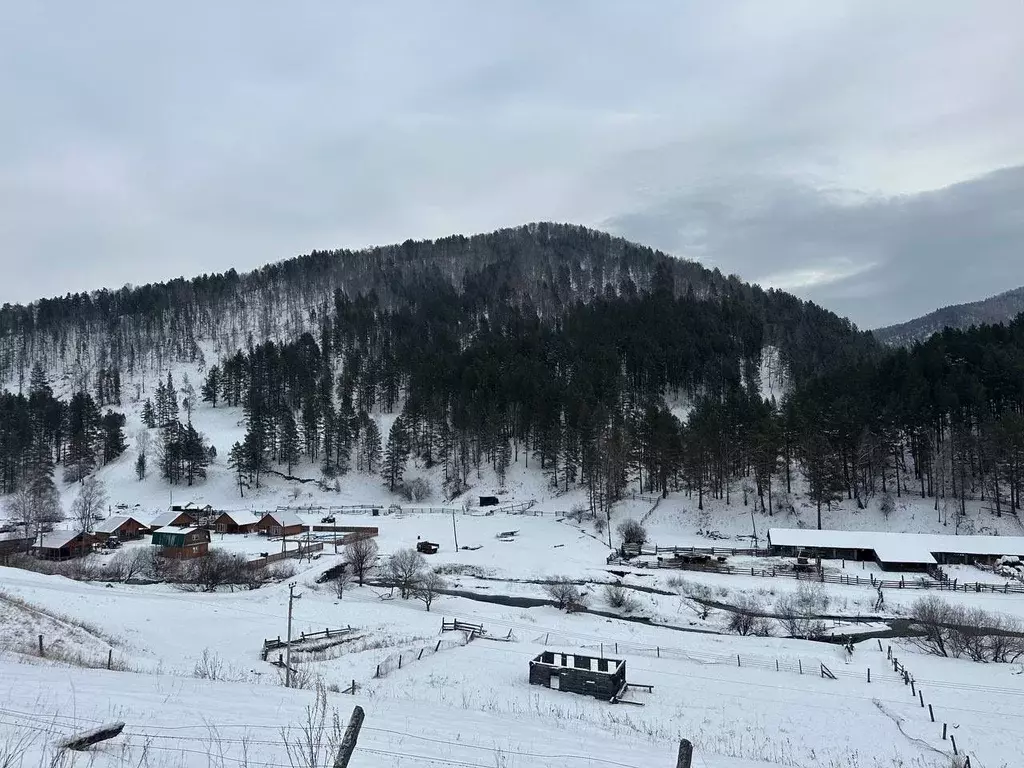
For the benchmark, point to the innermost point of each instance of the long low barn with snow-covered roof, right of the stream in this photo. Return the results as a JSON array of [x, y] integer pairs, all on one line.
[[910, 552]]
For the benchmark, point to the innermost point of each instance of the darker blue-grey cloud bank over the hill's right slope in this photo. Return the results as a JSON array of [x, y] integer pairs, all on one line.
[[877, 261]]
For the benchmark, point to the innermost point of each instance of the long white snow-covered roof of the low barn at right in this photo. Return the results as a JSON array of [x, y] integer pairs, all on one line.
[[916, 548]]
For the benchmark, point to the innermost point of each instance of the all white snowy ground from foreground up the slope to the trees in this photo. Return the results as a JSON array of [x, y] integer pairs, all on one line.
[[191, 685]]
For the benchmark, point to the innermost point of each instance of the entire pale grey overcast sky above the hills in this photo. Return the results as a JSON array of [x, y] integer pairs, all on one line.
[[865, 154]]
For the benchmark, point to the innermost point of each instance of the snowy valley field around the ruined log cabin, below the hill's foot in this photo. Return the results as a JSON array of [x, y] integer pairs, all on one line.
[[194, 691]]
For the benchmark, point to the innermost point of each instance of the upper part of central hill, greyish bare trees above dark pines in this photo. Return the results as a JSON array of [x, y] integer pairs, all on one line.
[[543, 270]]
